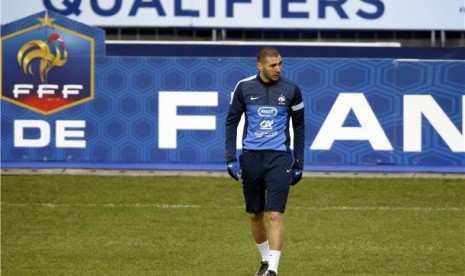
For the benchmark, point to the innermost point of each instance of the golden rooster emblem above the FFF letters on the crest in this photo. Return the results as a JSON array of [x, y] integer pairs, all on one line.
[[40, 50]]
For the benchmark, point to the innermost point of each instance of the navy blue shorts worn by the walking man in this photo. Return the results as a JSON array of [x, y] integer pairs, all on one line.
[[266, 178]]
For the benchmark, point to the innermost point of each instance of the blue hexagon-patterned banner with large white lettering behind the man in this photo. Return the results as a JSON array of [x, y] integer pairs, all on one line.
[[168, 111]]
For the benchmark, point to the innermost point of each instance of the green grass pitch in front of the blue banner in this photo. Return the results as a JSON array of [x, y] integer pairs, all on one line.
[[115, 225]]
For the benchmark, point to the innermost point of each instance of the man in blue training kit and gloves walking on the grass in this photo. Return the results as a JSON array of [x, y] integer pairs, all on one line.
[[267, 165]]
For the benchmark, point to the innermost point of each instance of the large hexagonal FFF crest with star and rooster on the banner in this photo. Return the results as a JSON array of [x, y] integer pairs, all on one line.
[[46, 65]]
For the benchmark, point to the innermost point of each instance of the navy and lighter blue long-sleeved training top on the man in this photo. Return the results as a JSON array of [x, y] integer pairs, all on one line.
[[268, 108]]
